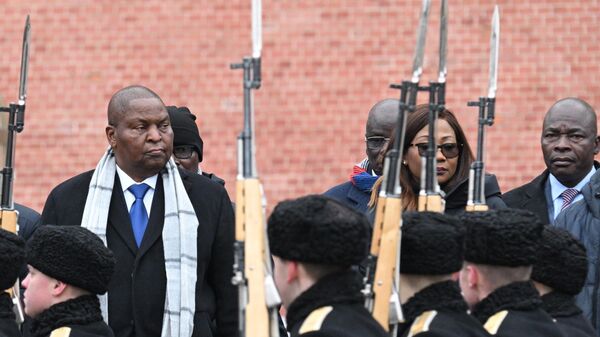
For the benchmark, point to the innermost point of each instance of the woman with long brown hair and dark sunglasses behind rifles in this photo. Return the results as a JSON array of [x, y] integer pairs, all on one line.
[[453, 161]]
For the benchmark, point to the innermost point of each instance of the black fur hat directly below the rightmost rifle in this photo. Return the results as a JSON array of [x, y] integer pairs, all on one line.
[[505, 237]]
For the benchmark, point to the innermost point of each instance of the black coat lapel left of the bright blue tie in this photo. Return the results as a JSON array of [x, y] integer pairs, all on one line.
[[118, 217]]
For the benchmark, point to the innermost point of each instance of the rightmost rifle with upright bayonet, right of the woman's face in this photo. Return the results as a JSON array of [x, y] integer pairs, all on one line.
[[487, 106]]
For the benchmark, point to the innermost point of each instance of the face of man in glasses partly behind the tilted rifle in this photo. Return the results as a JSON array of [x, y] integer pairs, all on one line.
[[377, 135]]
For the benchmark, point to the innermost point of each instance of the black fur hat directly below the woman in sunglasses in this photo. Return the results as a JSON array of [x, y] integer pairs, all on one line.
[[432, 244]]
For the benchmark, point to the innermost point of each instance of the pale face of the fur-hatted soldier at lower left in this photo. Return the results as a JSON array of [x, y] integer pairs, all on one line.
[[38, 292]]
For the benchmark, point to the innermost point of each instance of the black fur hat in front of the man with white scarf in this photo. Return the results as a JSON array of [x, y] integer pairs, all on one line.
[[73, 255]]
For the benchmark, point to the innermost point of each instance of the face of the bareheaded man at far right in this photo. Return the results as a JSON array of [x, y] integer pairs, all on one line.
[[569, 144]]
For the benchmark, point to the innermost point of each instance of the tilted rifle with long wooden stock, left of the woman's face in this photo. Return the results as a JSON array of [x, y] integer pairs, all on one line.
[[383, 272]]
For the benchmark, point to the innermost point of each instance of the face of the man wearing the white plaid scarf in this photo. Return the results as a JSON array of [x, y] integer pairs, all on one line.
[[142, 138]]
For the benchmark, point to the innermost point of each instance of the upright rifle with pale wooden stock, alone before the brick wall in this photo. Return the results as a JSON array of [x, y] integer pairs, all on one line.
[[258, 297]]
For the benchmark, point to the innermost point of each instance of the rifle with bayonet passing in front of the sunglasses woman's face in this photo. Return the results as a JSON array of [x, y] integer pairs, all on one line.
[[430, 196]]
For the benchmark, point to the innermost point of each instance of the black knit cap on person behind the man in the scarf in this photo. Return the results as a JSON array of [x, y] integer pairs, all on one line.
[[185, 130]]
